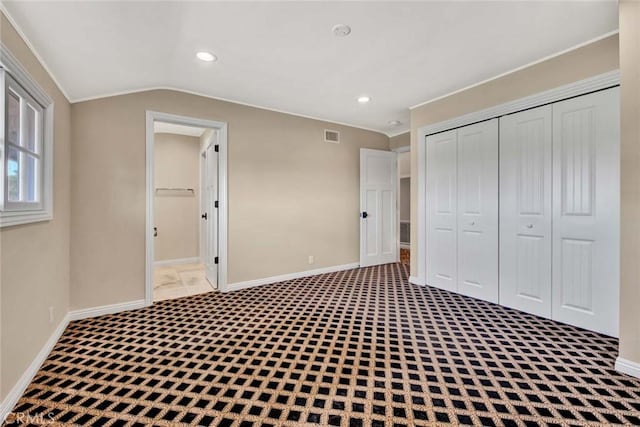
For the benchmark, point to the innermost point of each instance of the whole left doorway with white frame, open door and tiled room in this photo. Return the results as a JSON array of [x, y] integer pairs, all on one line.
[[186, 226]]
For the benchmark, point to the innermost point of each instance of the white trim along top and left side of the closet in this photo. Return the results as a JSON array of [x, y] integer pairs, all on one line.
[[581, 87]]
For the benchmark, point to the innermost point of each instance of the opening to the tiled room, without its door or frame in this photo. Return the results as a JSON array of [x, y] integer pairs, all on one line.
[[178, 268]]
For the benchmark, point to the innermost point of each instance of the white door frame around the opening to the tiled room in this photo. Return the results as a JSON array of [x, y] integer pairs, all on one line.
[[221, 127]]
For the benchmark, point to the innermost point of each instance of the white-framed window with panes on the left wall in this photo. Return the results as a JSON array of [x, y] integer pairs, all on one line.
[[26, 147]]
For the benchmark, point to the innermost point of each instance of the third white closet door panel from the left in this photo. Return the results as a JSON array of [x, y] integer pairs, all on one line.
[[525, 211]]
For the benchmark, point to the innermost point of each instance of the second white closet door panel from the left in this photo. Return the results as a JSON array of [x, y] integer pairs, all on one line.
[[478, 210]]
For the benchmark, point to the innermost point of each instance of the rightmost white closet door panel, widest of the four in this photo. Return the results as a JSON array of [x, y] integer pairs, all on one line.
[[586, 209]]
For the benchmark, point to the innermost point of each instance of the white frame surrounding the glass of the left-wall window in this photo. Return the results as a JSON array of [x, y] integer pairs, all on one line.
[[13, 75]]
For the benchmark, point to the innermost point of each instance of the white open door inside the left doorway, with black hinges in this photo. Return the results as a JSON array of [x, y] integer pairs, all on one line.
[[210, 215]]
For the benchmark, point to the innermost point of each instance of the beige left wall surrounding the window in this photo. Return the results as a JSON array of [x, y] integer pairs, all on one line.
[[35, 257]]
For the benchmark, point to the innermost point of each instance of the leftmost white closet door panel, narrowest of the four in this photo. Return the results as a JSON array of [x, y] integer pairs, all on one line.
[[441, 197]]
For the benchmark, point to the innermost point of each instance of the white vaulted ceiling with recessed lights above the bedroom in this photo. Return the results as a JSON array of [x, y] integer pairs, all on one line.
[[283, 55]]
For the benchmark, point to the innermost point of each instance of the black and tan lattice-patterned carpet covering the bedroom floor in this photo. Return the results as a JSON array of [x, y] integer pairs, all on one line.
[[355, 348]]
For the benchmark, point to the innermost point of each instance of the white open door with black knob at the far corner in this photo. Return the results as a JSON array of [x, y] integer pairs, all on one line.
[[378, 209]]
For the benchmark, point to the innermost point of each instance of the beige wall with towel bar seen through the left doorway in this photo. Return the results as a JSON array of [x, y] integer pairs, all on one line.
[[177, 213]]
